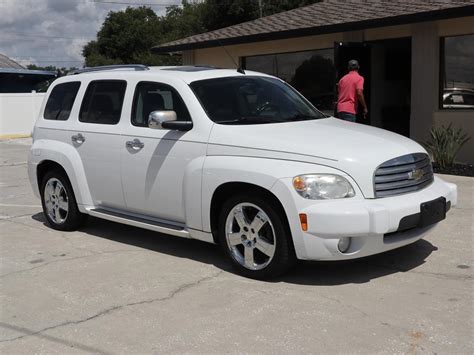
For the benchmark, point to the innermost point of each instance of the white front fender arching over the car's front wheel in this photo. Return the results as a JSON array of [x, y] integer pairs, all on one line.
[[264, 172]]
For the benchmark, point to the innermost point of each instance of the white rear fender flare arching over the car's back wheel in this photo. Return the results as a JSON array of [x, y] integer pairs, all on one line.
[[68, 157]]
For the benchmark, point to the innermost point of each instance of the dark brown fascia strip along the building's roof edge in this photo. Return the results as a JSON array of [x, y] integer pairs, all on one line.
[[311, 31]]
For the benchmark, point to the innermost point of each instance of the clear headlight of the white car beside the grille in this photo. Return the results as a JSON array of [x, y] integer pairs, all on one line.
[[323, 186]]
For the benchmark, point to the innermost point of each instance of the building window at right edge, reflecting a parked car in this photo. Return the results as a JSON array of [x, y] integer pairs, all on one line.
[[457, 72]]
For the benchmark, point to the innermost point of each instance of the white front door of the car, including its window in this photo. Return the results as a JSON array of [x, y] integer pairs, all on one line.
[[154, 161]]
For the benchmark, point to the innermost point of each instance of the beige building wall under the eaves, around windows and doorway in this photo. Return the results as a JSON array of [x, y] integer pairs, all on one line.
[[425, 36]]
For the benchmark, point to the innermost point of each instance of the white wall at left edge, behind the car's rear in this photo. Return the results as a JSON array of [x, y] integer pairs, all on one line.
[[18, 112]]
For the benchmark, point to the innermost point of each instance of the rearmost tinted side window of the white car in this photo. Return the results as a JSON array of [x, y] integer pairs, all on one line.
[[60, 101]]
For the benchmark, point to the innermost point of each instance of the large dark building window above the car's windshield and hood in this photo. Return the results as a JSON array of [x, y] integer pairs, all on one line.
[[311, 72]]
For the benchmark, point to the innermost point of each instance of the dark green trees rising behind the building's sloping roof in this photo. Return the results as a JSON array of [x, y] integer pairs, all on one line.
[[127, 36]]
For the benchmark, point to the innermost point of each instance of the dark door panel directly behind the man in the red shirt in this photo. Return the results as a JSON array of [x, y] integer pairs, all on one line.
[[360, 51]]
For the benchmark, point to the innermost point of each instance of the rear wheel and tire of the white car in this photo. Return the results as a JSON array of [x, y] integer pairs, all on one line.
[[59, 202]]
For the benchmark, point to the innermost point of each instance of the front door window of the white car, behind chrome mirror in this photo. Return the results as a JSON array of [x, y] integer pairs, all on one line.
[[152, 96]]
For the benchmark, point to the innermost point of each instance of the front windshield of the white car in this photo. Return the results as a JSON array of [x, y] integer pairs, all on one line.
[[252, 100]]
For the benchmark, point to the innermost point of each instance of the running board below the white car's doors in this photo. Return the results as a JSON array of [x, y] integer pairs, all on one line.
[[139, 222]]
